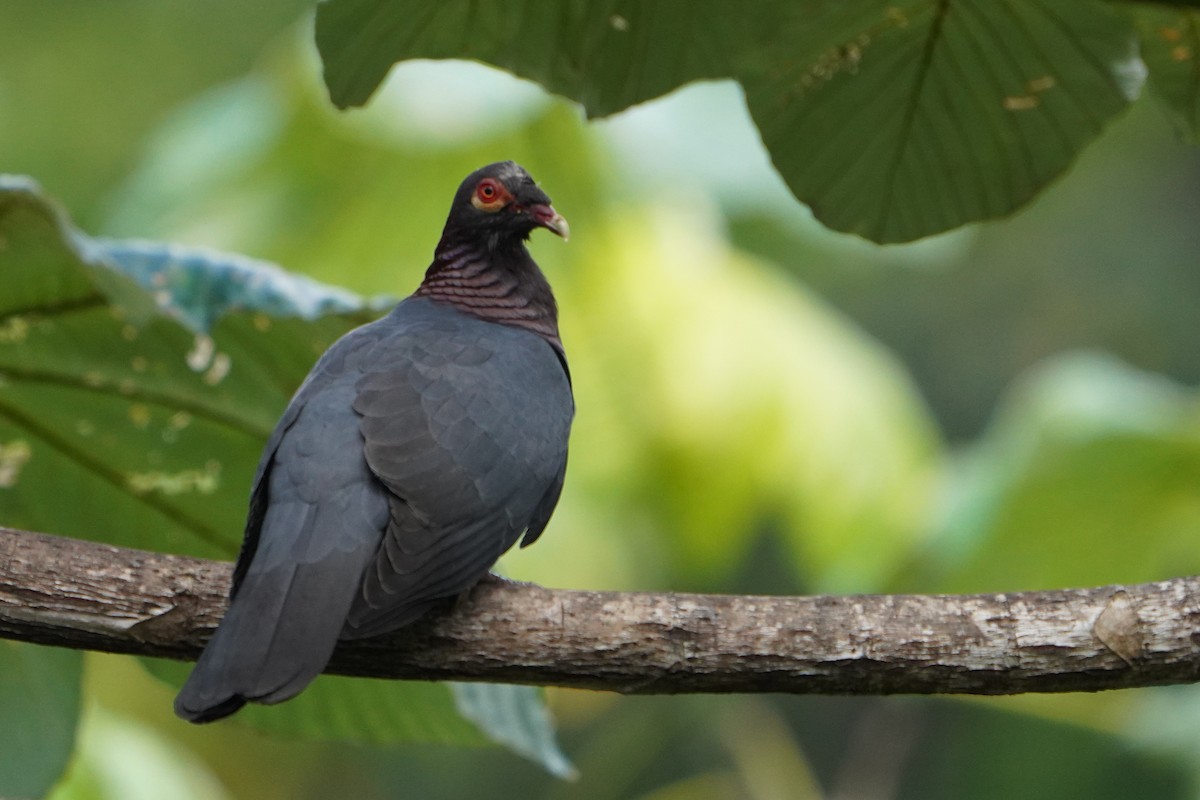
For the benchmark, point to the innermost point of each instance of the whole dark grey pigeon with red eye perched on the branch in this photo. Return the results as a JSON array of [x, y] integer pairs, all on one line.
[[419, 449]]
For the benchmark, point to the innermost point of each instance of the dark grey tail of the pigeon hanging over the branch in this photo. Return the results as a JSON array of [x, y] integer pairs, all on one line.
[[278, 636]]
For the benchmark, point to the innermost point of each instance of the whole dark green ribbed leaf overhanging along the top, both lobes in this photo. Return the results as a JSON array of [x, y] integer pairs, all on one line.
[[891, 121]]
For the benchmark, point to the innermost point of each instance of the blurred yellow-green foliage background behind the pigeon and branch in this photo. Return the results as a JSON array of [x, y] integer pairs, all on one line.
[[764, 406]]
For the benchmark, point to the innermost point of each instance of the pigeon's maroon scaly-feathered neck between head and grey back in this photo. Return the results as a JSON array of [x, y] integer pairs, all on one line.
[[497, 282]]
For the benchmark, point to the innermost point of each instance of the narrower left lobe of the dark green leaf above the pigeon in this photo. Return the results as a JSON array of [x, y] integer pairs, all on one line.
[[608, 56]]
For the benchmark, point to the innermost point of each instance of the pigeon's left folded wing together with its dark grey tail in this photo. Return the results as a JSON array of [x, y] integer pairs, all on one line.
[[316, 520]]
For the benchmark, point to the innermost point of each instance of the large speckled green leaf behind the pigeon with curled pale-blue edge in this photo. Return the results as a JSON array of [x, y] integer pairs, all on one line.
[[153, 432]]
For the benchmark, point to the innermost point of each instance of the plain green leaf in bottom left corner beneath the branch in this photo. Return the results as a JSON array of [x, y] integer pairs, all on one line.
[[39, 713]]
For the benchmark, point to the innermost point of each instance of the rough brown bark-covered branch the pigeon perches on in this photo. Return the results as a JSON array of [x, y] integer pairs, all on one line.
[[76, 594]]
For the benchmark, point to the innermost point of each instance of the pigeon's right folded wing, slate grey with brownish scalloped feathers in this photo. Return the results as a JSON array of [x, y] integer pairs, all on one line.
[[466, 424]]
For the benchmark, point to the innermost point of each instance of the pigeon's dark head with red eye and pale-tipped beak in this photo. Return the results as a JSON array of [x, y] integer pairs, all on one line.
[[501, 202]]
